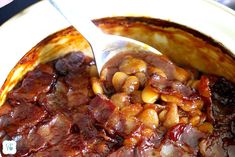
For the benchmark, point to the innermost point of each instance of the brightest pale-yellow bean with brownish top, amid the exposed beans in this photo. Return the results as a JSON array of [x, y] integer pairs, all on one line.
[[149, 95]]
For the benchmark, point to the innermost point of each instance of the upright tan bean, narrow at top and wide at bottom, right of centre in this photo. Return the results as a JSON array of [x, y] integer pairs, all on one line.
[[172, 116]]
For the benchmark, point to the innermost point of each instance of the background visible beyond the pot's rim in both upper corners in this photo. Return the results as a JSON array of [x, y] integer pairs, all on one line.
[[17, 5]]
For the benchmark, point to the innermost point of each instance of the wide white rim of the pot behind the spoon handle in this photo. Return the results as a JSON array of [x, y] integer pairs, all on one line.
[[26, 29]]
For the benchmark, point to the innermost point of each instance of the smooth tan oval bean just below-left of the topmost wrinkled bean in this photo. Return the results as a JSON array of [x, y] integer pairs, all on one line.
[[118, 80]]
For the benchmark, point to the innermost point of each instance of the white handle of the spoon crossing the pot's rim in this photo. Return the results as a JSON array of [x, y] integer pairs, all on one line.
[[74, 15]]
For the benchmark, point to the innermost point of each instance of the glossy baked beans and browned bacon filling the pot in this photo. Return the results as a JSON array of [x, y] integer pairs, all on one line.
[[142, 105]]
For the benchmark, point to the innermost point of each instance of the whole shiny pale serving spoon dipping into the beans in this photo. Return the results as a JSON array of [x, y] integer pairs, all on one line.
[[104, 46]]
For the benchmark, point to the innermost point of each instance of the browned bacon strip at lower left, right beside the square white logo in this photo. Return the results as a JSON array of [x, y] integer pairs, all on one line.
[[50, 133]]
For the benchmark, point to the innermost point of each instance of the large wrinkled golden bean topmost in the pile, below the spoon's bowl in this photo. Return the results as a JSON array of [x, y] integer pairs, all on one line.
[[132, 65]]
